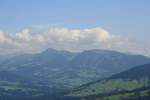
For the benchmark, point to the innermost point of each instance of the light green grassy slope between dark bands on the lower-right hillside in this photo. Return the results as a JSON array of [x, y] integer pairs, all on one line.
[[108, 86]]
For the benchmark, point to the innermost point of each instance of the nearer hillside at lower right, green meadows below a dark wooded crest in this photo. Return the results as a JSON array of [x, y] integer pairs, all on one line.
[[133, 84]]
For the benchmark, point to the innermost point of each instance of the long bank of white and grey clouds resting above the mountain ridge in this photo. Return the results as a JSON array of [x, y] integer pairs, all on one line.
[[61, 38]]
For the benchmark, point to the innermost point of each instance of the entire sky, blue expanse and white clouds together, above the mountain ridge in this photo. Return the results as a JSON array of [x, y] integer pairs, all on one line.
[[119, 24]]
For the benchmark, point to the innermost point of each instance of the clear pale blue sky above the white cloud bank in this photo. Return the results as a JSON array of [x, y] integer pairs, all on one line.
[[126, 17]]
